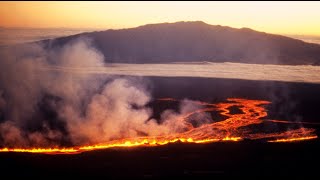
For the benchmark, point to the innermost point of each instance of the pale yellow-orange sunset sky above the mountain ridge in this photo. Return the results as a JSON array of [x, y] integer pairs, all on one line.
[[300, 18]]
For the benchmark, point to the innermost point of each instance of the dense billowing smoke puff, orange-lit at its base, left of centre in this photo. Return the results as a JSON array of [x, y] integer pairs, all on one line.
[[110, 114]]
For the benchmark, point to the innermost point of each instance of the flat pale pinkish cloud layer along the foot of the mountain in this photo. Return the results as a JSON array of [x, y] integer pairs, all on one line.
[[285, 73]]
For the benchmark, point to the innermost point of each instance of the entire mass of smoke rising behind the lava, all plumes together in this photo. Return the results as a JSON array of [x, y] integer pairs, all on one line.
[[94, 108]]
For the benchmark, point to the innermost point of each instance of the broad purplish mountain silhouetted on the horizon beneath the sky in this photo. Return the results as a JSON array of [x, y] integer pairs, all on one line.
[[197, 41]]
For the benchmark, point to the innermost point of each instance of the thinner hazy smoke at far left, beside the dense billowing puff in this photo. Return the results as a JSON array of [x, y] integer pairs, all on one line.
[[24, 87]]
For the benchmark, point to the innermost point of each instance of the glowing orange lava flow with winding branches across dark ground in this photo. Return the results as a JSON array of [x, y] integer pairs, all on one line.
[[235, 127]]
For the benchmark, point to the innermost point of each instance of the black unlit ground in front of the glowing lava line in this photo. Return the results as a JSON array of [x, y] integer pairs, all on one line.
[[183, 160]]
